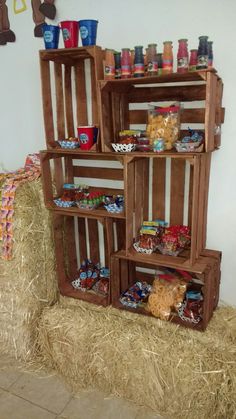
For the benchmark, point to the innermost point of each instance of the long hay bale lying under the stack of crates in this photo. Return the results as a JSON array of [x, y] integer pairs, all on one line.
[[175, 371]]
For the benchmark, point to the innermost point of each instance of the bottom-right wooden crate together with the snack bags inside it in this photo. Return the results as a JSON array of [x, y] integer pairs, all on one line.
[[183, 295]]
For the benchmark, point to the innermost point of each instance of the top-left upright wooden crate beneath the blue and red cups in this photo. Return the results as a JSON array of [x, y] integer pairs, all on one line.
[[69, 90]]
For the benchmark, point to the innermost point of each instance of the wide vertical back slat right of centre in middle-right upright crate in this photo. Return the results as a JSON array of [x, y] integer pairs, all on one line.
[[177, 192]]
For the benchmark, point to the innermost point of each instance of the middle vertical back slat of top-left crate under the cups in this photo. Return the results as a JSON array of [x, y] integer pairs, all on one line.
[[69, 102]]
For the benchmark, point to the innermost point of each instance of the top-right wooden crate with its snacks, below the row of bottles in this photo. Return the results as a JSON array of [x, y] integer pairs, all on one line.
[[166, 126]]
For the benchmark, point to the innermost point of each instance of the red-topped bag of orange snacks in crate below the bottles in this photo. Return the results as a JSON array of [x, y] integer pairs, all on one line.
[[164, 123]]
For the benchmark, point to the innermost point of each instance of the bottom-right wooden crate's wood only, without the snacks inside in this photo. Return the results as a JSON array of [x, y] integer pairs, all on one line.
[[125, 271]]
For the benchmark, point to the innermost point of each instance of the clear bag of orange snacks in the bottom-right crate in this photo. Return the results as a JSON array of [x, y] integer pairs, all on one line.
[[167, 294]]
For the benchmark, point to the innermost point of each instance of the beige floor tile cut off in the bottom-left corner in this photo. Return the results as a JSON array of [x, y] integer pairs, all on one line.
[[14, 407]]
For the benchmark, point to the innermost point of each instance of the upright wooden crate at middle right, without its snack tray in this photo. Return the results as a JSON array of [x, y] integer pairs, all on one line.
[[174, 189]]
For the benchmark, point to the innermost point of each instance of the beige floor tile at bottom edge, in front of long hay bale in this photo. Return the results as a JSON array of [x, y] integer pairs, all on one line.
[[93, 405]]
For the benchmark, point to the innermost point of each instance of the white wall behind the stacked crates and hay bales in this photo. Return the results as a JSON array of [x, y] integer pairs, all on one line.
[[129, 23]]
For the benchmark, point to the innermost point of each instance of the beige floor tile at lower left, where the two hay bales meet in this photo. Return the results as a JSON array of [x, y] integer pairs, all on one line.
[[45, 391]]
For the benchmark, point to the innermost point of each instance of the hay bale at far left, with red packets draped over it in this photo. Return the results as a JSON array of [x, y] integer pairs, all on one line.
[[27, 282]]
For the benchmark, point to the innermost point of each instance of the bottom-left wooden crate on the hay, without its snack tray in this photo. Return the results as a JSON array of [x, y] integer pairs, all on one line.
[[76, 239]]
